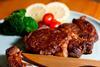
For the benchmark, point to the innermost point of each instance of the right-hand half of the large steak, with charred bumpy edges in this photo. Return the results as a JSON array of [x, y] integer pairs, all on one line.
[[82, 35]]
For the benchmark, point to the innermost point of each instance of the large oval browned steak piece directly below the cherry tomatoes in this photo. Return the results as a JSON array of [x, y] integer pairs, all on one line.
[[48, 42]]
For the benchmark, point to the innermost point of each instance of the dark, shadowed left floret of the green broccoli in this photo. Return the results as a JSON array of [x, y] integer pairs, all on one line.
[[13, 25]]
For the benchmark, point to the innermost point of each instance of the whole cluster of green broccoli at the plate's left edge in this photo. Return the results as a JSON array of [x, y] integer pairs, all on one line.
[[18, 24]]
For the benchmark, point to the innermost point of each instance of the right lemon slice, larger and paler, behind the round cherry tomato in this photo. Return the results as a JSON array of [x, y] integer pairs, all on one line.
[[60, 11]]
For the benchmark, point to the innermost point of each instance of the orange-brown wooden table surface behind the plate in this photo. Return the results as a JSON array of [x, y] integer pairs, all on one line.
[[90, 7]]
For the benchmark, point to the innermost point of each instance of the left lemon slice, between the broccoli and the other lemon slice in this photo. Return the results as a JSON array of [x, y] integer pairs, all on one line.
[[36, 11]]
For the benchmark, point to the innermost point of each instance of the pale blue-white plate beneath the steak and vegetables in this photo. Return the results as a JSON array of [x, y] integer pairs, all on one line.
[[7, 41]]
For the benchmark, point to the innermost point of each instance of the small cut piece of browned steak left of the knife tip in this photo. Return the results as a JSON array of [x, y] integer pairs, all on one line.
[[14, 57]]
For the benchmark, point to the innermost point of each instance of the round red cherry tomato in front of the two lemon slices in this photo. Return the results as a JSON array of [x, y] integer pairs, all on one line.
[[47, 18]]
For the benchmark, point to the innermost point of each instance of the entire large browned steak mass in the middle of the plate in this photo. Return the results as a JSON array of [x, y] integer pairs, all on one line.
[[79, 36]]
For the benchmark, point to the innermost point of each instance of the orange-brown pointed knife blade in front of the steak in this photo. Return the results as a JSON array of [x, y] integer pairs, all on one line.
[[54, 61]]
